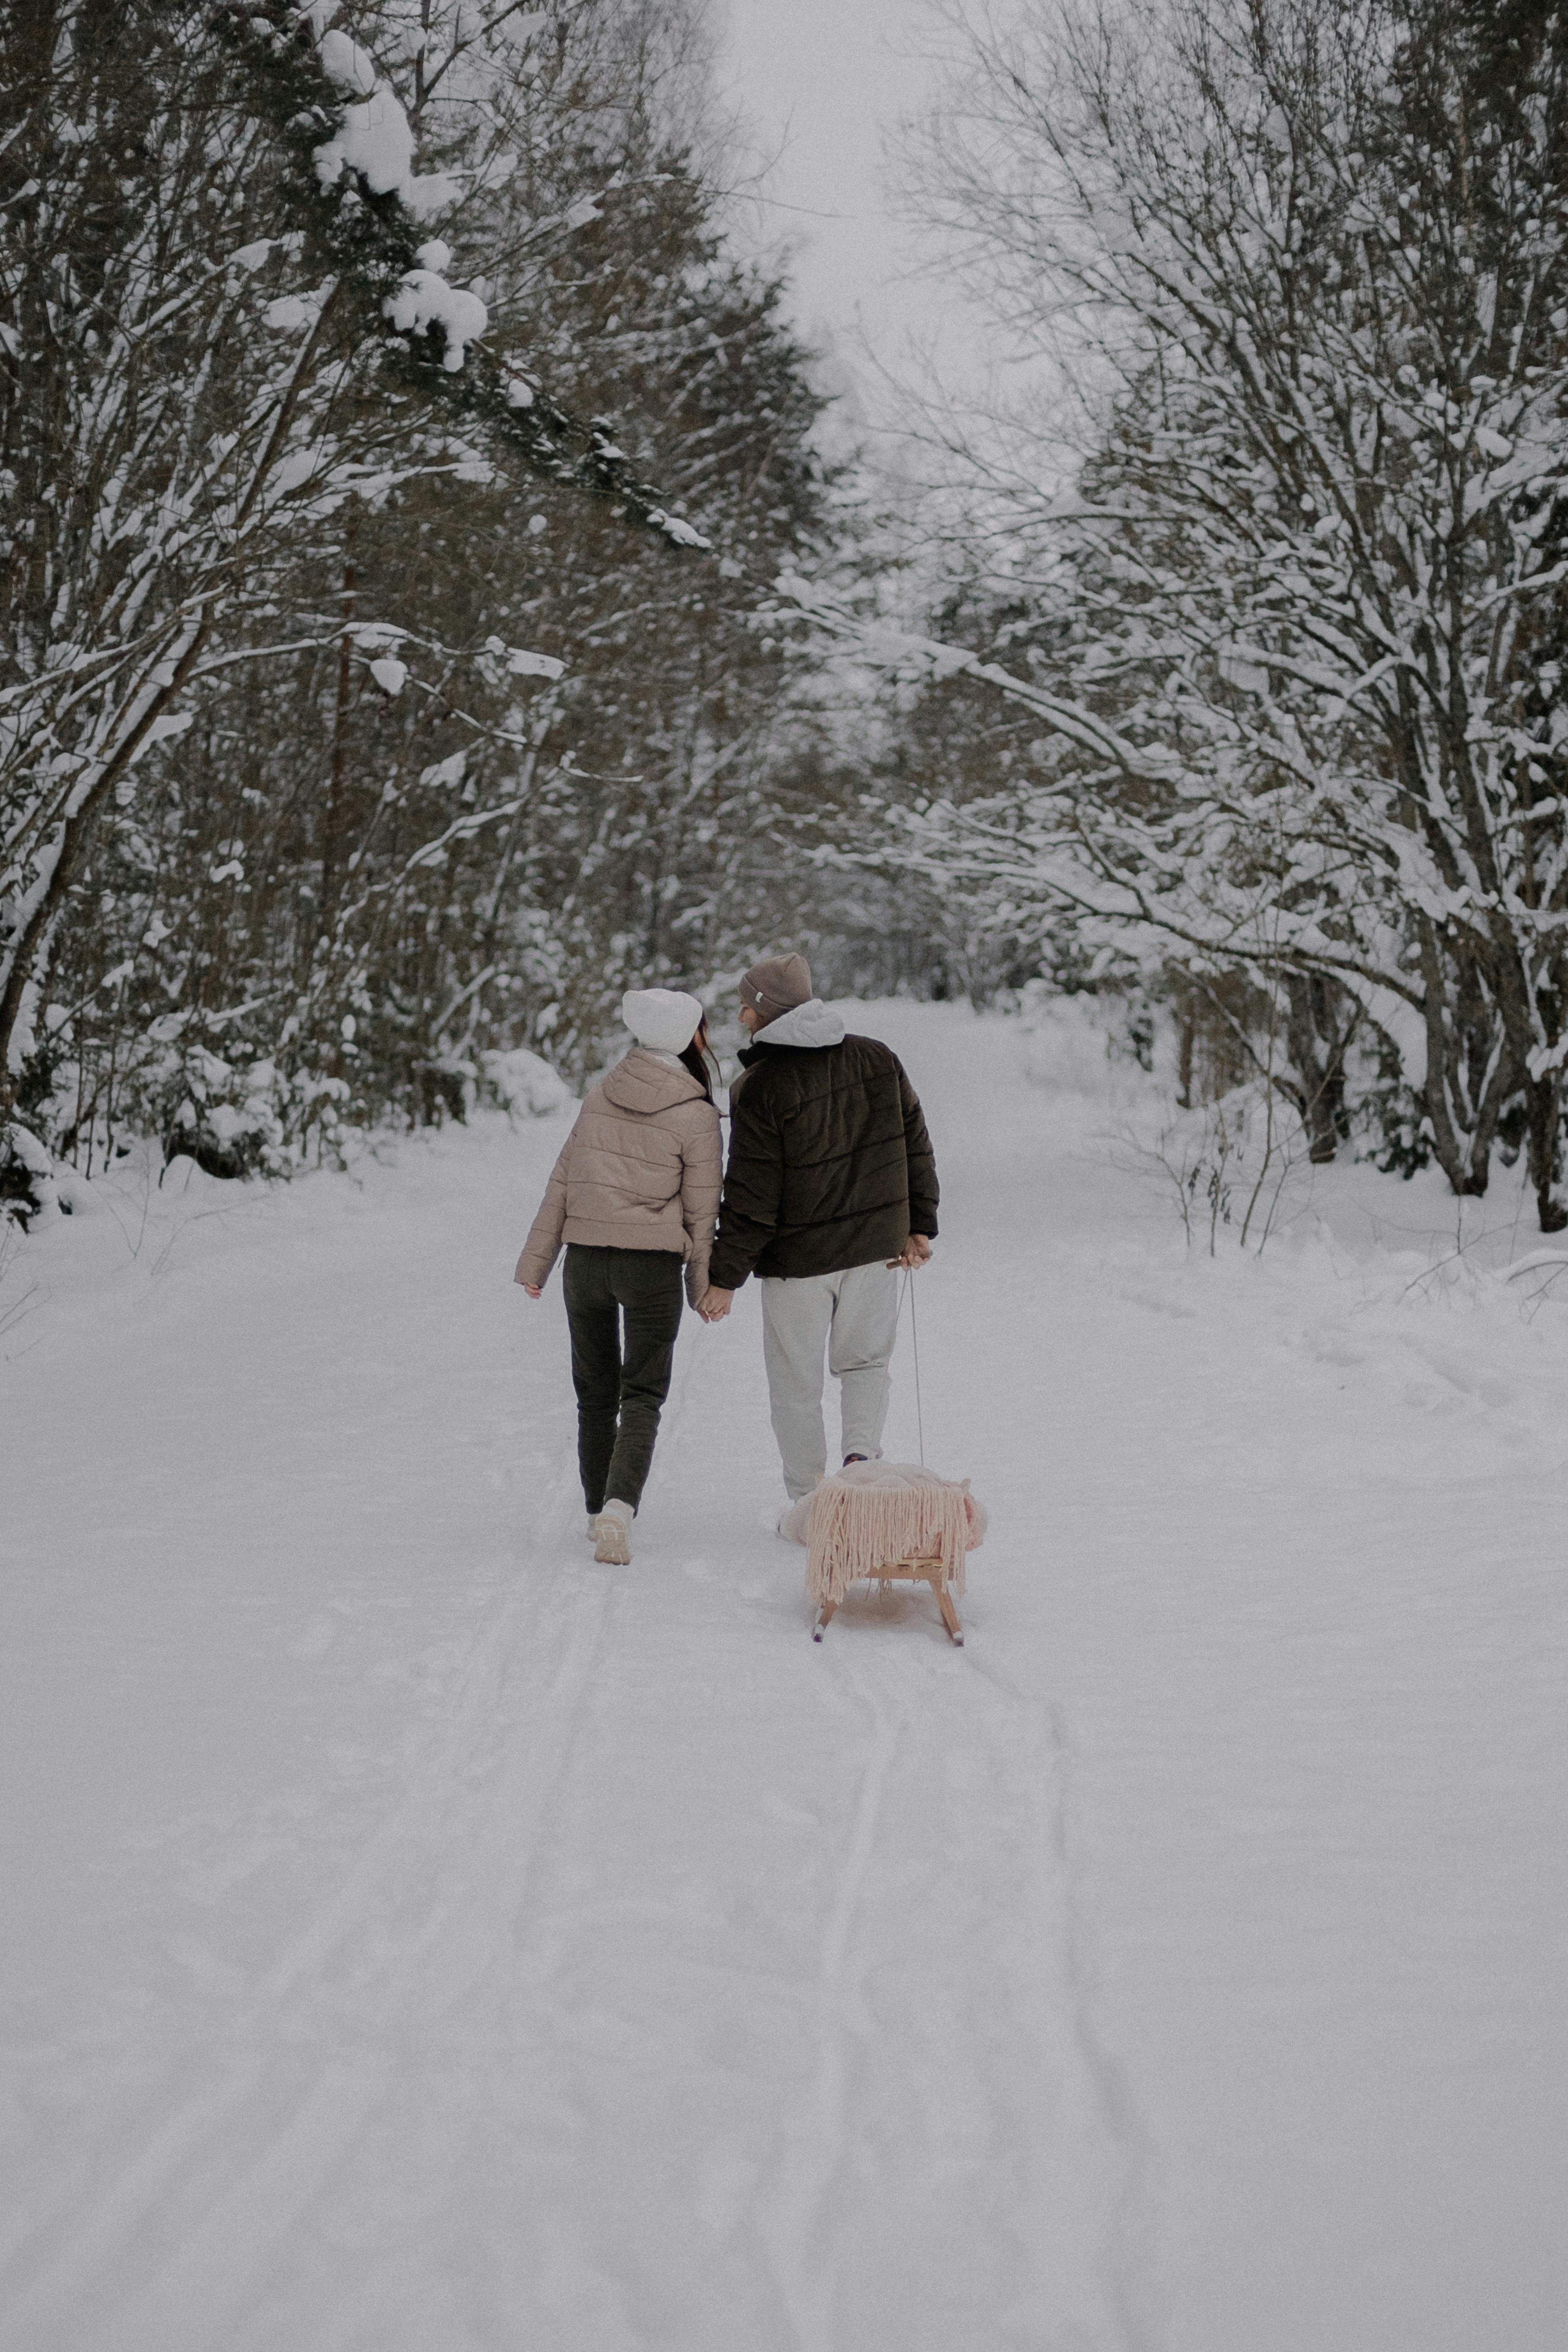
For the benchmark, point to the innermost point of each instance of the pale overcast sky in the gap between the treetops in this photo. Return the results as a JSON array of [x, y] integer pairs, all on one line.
[[822, 86]]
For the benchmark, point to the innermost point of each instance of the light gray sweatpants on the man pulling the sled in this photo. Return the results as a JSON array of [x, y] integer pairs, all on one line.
[[857, 1316]]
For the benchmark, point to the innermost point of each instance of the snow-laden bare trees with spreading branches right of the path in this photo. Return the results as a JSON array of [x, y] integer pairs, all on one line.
[[1299, 636]]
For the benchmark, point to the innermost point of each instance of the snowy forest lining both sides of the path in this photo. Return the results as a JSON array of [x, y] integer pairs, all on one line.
[[431, 601]]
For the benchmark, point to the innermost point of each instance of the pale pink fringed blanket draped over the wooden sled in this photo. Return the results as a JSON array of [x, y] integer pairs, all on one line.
[[873, 1514]]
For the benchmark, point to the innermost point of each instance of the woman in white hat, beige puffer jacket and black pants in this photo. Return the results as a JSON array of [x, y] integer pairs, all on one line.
[[634, 1196]]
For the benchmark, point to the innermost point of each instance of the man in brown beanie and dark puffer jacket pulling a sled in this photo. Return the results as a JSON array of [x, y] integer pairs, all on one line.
[[831, 1191]]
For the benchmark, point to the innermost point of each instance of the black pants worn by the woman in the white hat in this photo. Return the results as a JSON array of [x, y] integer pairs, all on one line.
[[622, 1384]]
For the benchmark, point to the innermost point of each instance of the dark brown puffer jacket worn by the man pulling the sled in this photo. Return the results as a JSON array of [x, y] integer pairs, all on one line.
[[829, 1156]]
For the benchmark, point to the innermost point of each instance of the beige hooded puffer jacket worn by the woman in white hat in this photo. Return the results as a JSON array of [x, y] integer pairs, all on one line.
[[641, 1170]]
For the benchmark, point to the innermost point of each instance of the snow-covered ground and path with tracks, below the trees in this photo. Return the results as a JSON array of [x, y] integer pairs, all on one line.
[[420, 1939]]
